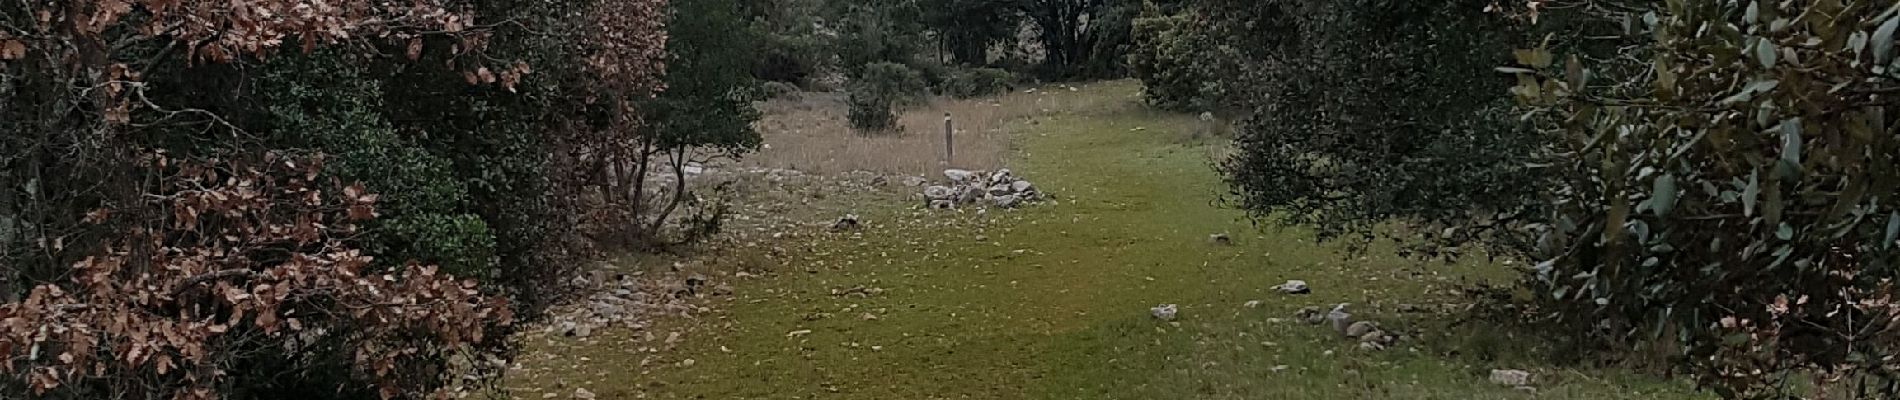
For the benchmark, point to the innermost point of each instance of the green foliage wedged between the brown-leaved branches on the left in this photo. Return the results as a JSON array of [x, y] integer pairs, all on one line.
[[326, 103]]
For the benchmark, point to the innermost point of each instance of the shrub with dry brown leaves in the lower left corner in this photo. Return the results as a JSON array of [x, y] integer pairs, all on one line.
[[248, 268]]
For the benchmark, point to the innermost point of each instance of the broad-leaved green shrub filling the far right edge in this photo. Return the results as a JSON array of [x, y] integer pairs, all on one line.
[[1730, 179]]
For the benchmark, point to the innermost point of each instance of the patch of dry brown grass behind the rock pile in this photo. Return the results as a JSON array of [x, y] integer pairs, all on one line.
[[810, 134]]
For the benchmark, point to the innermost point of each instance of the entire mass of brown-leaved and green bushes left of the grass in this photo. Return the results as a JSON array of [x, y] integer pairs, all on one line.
[[183, 211]]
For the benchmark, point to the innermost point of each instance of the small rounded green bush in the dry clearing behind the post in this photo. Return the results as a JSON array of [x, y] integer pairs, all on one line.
[[877, 92]]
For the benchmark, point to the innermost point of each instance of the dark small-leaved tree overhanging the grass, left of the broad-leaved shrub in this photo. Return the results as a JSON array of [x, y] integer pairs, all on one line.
[[1367, 113]]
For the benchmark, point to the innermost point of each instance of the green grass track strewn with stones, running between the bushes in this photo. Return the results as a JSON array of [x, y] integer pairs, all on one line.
[[1054, 302]]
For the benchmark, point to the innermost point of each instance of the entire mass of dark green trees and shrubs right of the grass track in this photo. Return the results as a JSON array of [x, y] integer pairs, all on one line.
[[1707, 175]]
